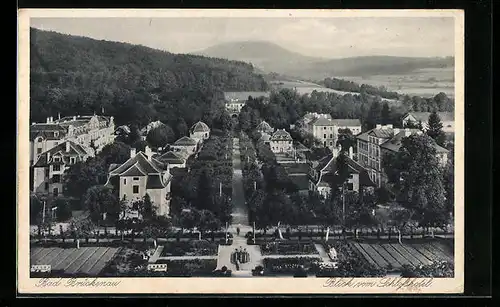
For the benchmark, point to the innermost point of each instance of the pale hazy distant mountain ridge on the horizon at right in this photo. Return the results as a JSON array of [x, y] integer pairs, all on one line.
[[269, 57]]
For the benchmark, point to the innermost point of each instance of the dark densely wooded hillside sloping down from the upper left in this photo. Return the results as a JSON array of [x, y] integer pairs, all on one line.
[[79, 75]]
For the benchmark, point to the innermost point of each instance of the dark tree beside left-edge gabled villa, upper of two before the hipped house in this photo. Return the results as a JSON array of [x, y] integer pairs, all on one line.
[[83, 175]]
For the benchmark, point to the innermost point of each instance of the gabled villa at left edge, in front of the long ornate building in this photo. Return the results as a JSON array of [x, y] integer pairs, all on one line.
[[49, 168]]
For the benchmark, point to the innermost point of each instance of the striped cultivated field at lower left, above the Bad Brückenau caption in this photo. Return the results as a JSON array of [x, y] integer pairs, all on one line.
[[85, 260]]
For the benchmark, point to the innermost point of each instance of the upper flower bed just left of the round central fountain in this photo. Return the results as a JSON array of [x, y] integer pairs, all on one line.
[[191, 248]]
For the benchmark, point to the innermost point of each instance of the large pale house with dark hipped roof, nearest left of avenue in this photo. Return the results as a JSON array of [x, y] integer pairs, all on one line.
[[142, 174]]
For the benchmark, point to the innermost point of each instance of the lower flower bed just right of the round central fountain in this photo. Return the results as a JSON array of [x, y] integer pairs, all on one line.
[[289, 265]]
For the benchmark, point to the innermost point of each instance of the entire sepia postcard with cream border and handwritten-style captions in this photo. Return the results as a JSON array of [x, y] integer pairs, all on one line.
[[164, 151]]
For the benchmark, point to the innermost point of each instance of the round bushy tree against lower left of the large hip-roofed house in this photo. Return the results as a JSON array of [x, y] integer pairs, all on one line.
[[99, 200]]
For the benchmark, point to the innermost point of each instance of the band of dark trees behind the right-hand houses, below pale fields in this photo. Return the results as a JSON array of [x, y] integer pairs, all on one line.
[[286, 107]]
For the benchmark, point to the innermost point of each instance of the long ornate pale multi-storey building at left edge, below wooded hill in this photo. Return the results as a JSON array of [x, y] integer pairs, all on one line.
[[91, 132]]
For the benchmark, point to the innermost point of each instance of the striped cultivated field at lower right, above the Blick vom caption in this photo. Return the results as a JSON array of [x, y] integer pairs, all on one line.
[[394, 255]]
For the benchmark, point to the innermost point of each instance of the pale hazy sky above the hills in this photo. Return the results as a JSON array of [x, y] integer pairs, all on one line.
[[320, 37]]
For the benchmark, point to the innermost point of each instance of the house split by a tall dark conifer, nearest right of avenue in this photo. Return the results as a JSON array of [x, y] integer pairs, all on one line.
[[324, 172]]
